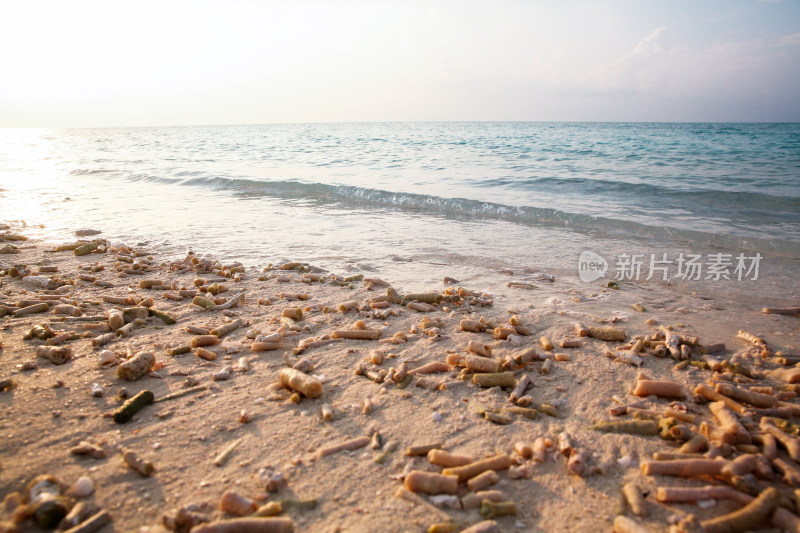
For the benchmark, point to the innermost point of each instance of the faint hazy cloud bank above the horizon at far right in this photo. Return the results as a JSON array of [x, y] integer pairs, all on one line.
[[724, 80]]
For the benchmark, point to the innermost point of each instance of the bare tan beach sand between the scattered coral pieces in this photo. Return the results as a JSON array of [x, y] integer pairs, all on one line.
[[51, 408]]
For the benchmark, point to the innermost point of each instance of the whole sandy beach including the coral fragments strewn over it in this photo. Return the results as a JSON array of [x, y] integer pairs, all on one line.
[[225, 439]]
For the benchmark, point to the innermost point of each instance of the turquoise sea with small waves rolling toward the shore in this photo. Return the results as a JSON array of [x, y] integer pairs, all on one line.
[[415, 202]]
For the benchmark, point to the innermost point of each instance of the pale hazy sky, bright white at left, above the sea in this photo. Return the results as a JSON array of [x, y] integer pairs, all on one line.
[[112, 63]]
